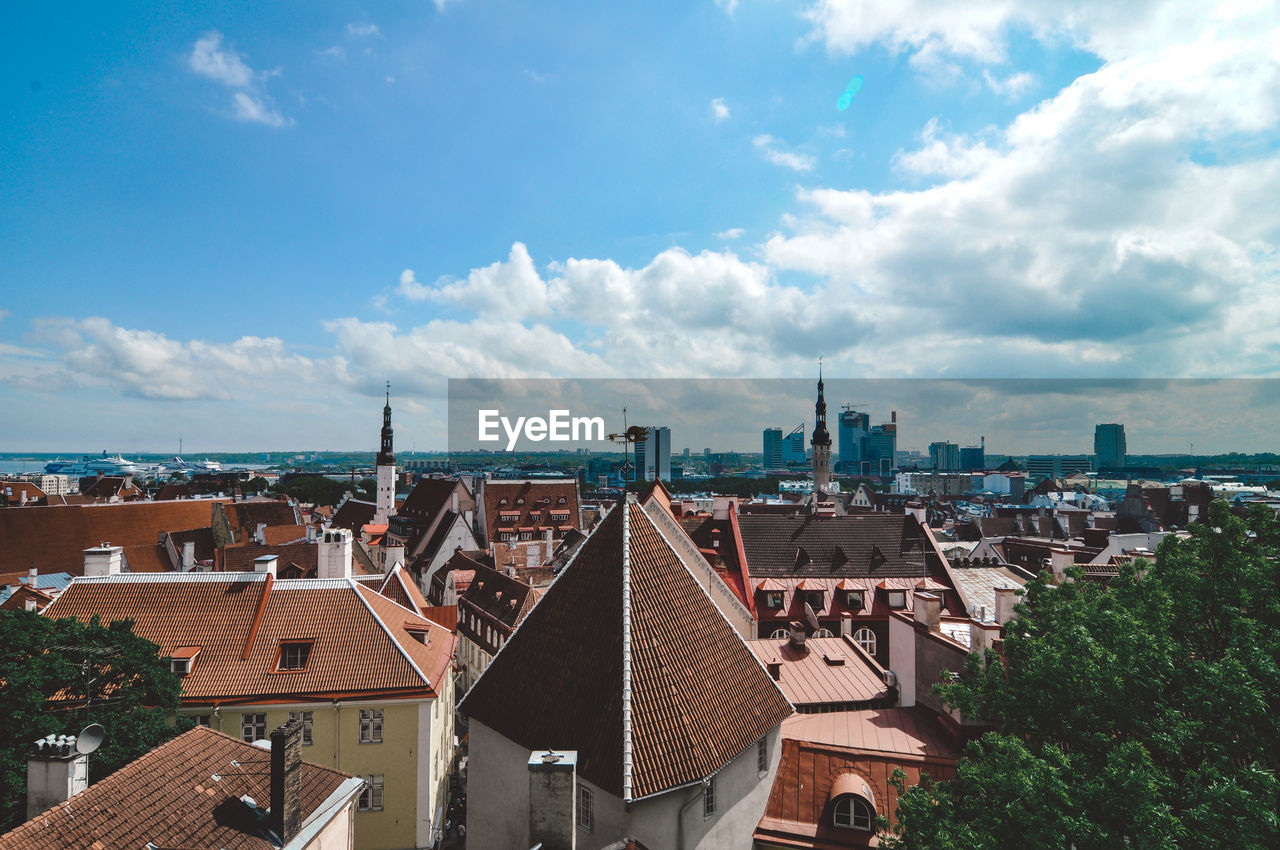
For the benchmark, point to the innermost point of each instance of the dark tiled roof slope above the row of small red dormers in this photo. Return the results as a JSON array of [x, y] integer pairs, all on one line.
[[871, 545]]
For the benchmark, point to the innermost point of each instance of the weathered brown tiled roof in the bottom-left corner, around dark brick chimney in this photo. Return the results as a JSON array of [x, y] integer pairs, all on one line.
[[171, 799]]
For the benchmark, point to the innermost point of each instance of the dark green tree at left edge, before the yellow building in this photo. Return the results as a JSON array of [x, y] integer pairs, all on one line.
[[58, 677]]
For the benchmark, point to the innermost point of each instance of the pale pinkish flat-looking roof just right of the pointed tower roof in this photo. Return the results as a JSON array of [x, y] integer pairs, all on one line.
[[831, 671]]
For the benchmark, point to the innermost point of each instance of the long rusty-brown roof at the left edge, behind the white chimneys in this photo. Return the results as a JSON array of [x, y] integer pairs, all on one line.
[[56, 538]]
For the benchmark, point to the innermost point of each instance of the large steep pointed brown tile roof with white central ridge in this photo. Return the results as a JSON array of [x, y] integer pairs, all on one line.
[[628, 661]]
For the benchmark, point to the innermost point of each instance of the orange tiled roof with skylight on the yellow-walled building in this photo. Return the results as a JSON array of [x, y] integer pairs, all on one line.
[[240, 620]]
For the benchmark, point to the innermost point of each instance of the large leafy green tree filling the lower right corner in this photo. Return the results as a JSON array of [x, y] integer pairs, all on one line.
[[1142, 715]]
